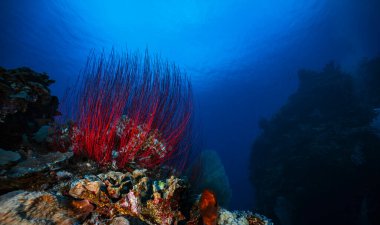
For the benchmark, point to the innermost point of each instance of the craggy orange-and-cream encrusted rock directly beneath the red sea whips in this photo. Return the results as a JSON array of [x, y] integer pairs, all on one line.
[[132, 194]]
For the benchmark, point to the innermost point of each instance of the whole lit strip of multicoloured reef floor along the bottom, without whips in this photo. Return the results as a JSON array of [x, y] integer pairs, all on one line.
[[117, 198]]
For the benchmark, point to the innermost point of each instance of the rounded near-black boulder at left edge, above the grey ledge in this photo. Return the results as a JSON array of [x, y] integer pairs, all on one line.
[[25, 105]]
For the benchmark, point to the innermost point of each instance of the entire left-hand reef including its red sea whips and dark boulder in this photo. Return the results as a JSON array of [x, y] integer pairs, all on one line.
[[140, 136]]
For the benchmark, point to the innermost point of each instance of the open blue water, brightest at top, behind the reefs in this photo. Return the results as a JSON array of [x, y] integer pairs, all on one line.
[[242, 55]]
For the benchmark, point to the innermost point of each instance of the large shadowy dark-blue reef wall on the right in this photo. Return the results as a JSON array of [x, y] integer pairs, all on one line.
[[316, 160]]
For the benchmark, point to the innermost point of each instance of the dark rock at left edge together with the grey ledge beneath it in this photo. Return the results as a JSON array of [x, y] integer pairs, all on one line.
[[27, 109]]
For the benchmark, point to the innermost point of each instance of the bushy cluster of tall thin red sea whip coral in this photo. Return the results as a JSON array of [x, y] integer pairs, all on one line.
[[130, 110]]
